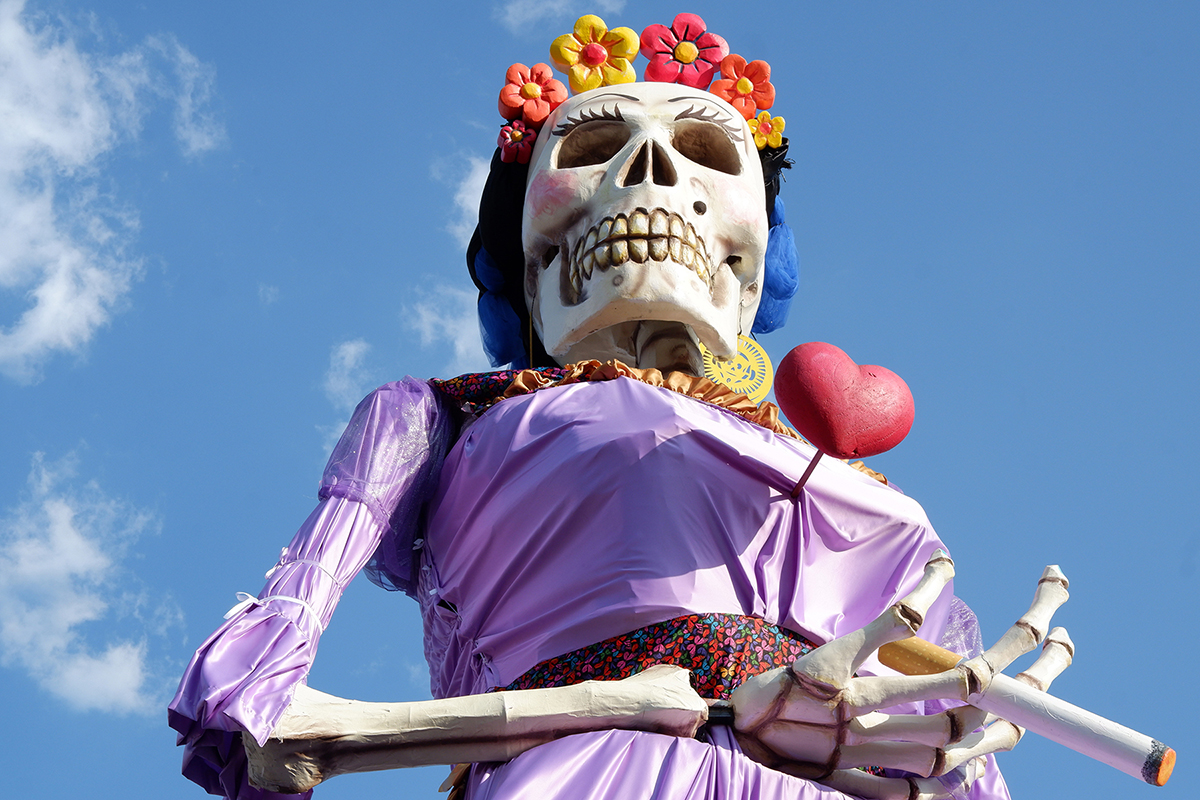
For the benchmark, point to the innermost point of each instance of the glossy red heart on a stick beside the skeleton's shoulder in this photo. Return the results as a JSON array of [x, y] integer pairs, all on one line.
[[844, 410]]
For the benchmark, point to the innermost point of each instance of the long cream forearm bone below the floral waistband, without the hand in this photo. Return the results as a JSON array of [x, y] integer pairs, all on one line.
[[322, 736]]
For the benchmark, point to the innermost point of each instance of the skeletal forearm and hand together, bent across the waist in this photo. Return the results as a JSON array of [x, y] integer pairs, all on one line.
[[796, 719]]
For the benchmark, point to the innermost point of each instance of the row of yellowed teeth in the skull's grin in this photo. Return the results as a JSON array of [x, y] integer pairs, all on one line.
[[641, 237]]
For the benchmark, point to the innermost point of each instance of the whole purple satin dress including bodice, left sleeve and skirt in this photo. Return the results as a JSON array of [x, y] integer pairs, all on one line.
[[557, 520]]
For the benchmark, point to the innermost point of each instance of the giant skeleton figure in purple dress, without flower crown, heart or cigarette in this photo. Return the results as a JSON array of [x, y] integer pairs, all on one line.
[[560, 525]]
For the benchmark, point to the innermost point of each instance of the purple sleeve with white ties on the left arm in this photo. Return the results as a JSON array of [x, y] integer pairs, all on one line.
[[383, 470]]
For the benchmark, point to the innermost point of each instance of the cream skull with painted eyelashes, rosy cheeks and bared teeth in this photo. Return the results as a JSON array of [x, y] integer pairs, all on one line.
[[645, 207]]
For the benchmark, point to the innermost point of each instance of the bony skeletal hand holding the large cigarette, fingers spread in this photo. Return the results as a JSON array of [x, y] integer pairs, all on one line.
[[817, 720]]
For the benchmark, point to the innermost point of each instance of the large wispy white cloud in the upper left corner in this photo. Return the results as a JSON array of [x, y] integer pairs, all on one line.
[[64, 238]]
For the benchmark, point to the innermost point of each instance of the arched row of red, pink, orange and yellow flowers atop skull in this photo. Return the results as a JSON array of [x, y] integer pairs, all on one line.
[[595, 56]]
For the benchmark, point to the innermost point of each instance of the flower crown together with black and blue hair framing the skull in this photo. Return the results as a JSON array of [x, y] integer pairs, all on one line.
[[592, 56]]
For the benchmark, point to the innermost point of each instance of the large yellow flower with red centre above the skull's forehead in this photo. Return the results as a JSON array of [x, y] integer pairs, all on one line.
[[595, 57]]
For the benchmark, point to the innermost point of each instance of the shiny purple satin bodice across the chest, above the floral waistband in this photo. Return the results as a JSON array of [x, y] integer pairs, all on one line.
[[581, 513]]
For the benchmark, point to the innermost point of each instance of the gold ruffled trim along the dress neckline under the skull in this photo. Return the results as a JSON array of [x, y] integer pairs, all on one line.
[[707, 392]]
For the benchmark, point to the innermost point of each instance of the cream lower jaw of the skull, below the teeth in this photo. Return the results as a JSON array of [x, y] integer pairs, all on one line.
[[604, 324]]
